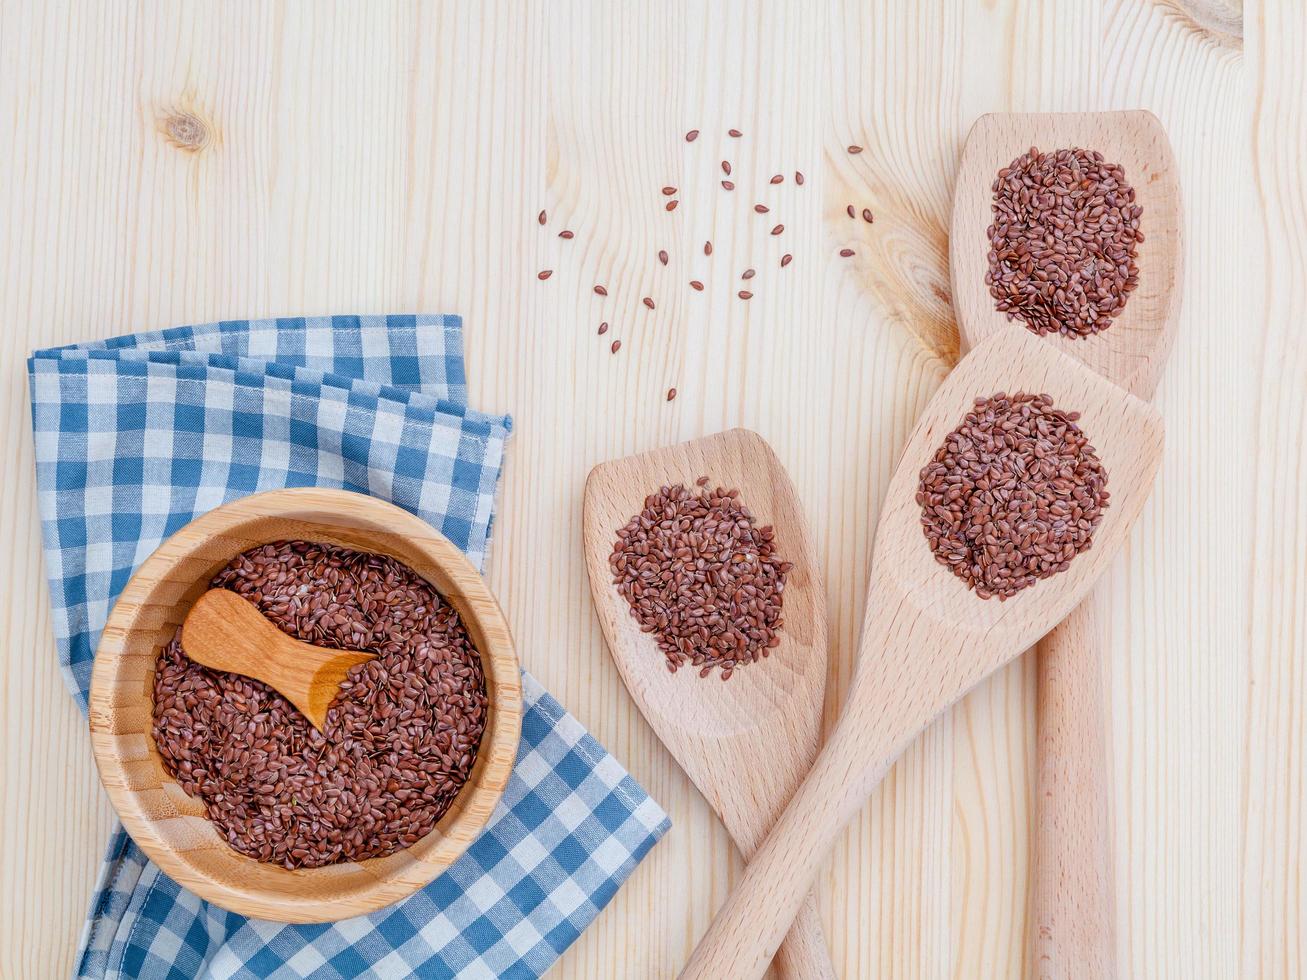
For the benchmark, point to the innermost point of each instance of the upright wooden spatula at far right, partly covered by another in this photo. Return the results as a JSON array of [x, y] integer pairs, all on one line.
[[1074, 894]]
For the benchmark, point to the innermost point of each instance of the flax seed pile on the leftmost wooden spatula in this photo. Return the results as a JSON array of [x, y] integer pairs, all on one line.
[[703, 577]]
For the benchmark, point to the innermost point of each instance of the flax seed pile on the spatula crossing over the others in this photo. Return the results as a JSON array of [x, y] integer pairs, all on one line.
[[1014, 495]]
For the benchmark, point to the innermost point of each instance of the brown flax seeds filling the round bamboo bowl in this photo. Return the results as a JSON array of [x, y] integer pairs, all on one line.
[[401, 739]]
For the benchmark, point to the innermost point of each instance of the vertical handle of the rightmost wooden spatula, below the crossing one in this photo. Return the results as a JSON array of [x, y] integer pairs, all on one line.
[[1075, 904]]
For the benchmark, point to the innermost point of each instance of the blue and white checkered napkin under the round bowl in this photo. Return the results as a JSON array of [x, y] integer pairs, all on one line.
[[138, 436]]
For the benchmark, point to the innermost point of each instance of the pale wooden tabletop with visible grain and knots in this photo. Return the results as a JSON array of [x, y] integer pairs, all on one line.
[[173, 163]]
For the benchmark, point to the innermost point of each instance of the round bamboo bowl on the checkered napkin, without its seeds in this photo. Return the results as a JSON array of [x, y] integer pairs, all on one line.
[[171, 826]]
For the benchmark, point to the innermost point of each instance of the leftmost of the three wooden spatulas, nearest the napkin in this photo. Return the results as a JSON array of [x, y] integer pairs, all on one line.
[[746, 743]]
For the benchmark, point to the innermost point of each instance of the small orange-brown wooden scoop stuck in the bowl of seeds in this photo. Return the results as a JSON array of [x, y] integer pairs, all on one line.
[[225, 632]]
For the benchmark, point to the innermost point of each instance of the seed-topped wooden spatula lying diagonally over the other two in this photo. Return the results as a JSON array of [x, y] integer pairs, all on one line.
[[926, 640]]
